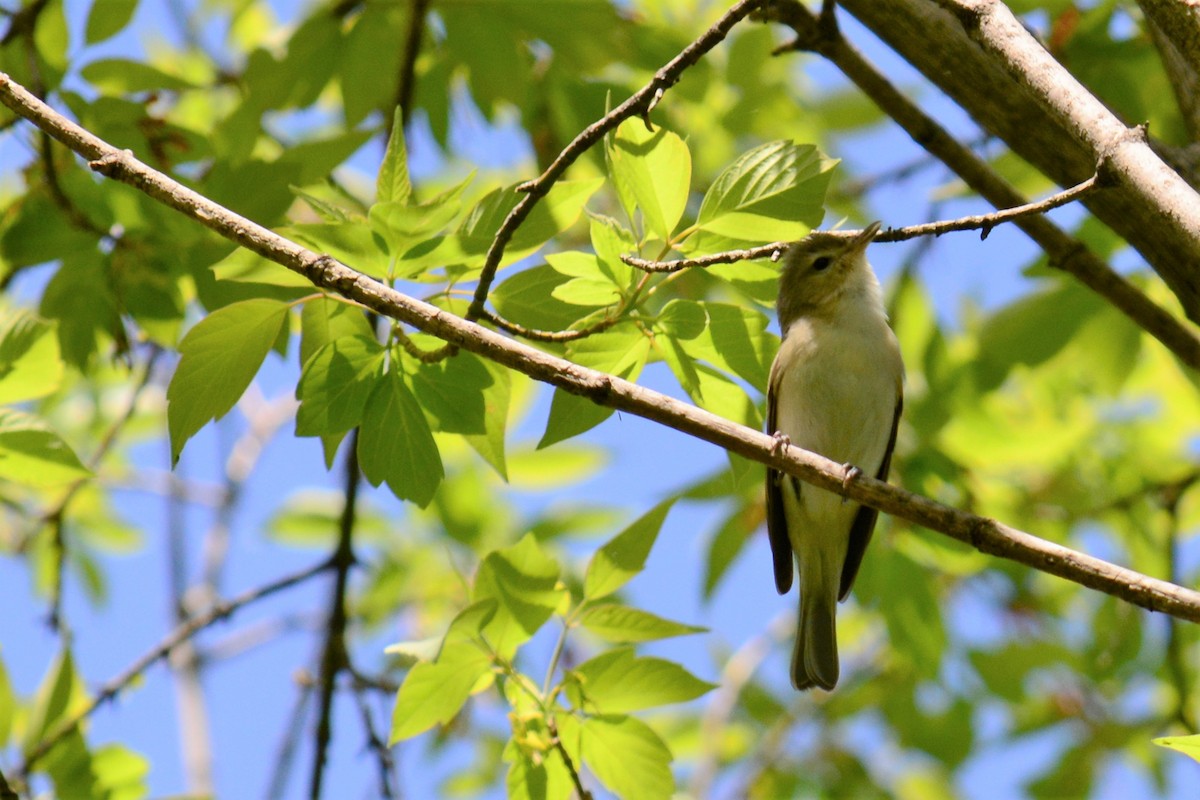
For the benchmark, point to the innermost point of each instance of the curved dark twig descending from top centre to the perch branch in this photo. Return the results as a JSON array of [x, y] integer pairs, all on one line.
[[640, 104]]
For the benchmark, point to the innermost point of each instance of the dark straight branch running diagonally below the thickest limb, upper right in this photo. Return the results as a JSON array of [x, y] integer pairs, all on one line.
[[1065, 252]]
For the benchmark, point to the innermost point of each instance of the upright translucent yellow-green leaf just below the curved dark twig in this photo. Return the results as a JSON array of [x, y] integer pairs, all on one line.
[[652, 171]]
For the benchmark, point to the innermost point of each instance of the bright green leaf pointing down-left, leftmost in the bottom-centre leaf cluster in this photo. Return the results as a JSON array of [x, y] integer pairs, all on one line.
[[434, 693]]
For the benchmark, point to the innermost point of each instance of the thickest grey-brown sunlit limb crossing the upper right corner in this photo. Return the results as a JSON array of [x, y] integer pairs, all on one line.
[[1040, 123]]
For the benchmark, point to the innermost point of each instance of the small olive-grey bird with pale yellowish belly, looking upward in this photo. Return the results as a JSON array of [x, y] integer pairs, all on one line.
[[836, 389]]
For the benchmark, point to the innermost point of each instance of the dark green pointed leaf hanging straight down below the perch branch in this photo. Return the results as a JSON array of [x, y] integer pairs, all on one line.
[[397, 446]]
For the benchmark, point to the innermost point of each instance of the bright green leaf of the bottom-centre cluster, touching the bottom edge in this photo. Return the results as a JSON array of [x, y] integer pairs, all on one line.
[[628, 757]]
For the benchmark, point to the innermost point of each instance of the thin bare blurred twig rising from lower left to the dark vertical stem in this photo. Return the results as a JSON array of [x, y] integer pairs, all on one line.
[[179, 635]]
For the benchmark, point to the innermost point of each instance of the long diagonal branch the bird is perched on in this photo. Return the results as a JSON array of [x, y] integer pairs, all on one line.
[[987, 536]]
